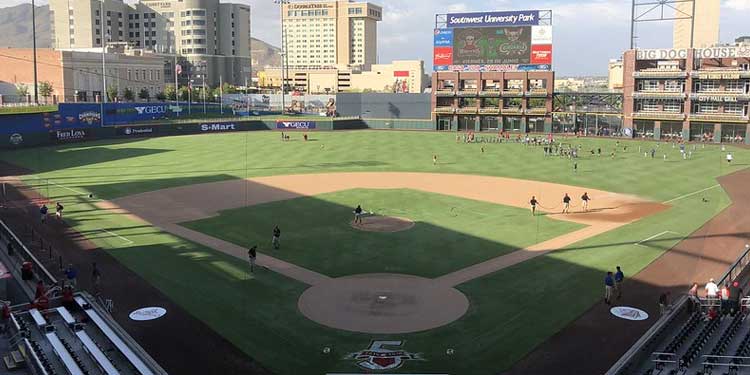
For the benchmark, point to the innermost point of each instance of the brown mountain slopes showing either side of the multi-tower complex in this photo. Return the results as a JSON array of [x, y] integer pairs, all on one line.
[[15, 32]]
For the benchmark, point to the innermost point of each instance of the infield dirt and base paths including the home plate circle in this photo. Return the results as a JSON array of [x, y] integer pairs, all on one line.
[[381, 303]]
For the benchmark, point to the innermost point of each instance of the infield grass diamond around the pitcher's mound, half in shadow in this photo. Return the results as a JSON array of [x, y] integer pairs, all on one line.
[[450, 233]]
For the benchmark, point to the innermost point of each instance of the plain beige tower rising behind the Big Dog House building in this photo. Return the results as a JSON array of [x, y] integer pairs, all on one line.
[[706, 19]]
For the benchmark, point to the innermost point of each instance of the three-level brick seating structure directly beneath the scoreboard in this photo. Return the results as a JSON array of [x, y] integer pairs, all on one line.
[[493, 101]]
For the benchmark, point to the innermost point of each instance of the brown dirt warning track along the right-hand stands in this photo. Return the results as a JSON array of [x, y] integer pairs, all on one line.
[[706, 253]]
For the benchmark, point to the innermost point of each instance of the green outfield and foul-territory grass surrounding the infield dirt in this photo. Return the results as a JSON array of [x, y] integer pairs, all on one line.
[[511, 311]]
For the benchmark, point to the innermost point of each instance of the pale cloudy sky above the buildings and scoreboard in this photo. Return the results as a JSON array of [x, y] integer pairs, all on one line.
[[586, 35]]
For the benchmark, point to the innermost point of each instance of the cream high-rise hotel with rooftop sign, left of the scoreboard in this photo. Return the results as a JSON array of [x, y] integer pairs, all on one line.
[[331, 33]]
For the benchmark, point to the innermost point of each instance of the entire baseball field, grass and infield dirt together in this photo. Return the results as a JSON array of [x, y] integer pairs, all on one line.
[[448, 273]]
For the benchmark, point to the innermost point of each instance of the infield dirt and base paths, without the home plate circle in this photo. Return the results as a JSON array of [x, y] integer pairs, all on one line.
[[166, 208]]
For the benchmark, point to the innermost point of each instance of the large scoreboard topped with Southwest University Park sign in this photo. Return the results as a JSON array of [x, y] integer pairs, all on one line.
[[493, 41]]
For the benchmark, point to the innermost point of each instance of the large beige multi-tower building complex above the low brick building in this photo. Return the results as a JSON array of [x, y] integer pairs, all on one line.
[[211, 39]]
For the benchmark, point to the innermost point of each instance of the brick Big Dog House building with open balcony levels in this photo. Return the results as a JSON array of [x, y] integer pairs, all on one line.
[[692, 94]]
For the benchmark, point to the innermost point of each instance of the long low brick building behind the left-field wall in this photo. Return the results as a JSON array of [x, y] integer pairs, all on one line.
[[76, 75]]
